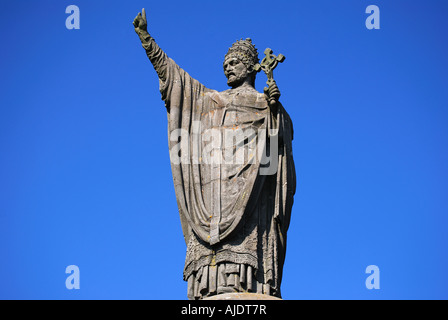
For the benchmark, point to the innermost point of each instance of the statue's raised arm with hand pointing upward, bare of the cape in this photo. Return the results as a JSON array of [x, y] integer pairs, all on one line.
[[156, 55]]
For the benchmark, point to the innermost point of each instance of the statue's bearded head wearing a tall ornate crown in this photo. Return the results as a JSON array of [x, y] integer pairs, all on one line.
[[239, 63]]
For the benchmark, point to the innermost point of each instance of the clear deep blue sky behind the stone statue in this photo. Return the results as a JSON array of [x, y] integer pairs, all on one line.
[[85, 175]]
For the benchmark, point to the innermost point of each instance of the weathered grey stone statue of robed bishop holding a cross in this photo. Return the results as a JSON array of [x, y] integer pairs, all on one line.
[[233, 171]]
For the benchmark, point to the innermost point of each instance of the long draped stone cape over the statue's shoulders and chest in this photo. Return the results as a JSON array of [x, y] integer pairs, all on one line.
[[213, 197]]
